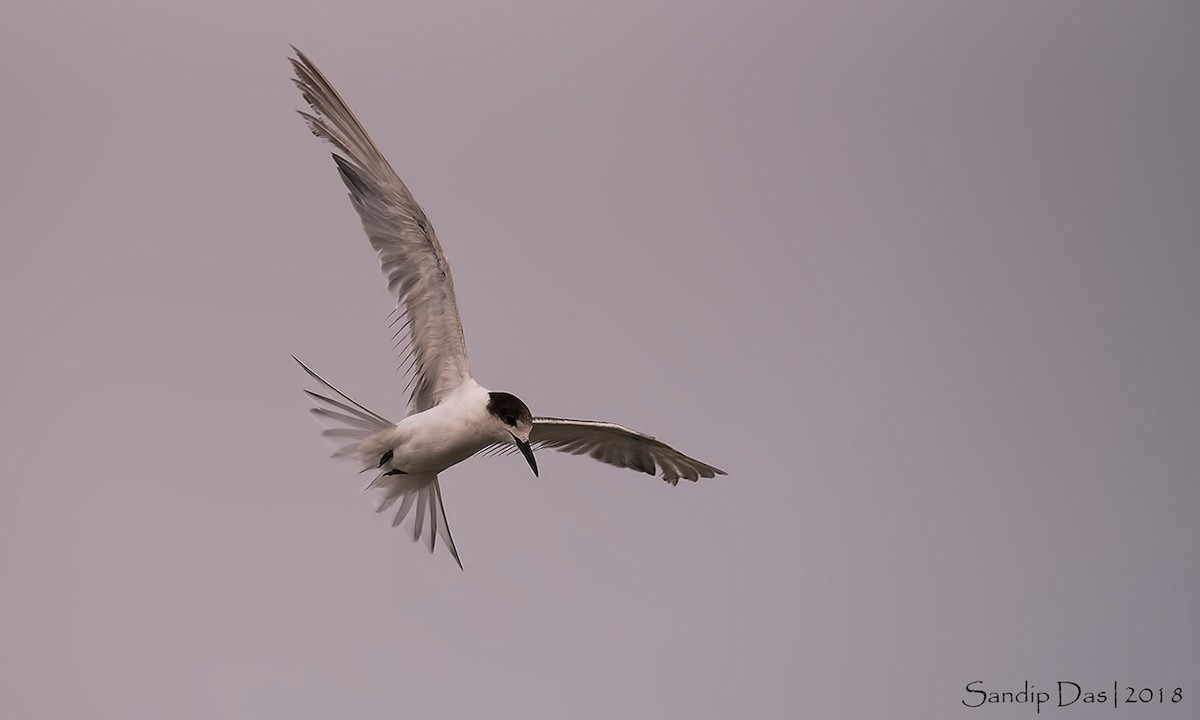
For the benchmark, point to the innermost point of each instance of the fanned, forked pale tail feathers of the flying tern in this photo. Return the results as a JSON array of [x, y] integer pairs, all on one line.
[[353, 430]]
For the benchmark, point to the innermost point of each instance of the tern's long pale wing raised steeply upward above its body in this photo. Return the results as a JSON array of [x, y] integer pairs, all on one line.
[[412, 259]]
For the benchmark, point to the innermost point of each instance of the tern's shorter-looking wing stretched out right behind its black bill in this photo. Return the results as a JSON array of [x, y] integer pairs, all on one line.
[[619, 446]]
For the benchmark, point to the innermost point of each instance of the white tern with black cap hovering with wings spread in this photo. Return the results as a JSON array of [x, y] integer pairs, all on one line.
[[452, 417]]
